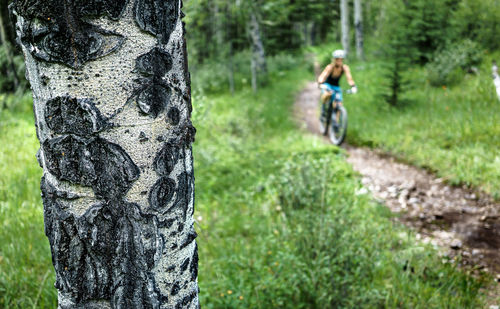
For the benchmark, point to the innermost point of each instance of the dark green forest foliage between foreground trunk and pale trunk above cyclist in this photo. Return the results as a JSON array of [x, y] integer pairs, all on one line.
[[216, 26]]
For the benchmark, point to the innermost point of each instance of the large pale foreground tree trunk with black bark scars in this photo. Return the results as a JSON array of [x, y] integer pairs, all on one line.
[[112, 104]]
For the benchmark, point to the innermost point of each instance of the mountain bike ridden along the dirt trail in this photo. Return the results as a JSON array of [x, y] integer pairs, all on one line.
[[333, 120]]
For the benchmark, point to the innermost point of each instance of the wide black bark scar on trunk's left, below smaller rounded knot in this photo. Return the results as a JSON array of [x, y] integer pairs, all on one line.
[[94, 162]]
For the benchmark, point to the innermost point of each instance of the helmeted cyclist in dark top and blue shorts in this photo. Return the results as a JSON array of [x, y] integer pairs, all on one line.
[[330, 77]]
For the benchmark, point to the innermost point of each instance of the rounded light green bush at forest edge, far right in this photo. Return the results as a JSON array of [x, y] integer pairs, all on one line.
[[451, 64]]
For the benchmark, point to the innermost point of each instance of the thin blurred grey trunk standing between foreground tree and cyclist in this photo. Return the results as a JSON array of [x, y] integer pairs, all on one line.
[[259, 64]]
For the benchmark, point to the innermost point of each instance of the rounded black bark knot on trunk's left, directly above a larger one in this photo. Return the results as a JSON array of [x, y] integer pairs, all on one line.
[[66, 115]]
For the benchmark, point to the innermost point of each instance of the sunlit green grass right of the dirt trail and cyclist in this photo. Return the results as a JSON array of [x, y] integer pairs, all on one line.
[[451, 130]]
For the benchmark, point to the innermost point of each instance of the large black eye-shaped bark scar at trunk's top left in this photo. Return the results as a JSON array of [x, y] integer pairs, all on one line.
[[63, 36]]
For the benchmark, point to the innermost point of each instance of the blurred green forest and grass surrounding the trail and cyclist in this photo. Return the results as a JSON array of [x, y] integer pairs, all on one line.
[[279, 214]]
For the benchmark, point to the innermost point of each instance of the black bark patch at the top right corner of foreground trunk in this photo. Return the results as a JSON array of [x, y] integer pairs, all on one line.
[[158, 17]]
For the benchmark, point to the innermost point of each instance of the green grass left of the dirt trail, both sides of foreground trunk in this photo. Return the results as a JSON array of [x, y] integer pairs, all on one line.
[[280, 224]]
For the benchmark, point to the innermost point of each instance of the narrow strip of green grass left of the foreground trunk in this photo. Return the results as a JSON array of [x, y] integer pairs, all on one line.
[[26, 275]]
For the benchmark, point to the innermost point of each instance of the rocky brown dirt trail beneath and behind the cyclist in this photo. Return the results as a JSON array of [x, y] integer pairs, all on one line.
[[464, 222]]
